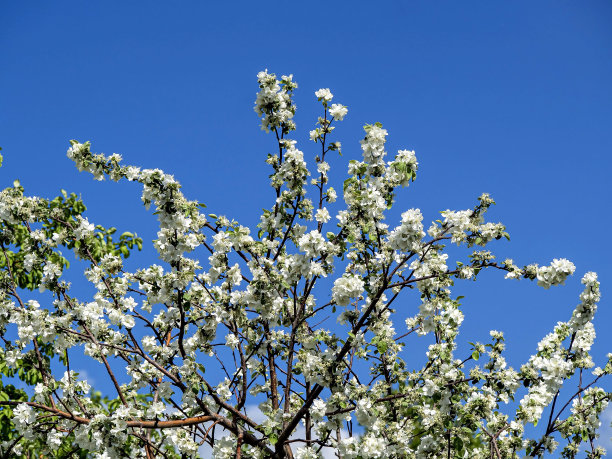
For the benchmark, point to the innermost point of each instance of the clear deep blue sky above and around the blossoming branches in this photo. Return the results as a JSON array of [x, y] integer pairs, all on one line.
[[509, 98]]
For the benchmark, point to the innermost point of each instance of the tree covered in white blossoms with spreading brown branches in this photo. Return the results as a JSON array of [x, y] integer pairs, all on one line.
[[235, 355]]
